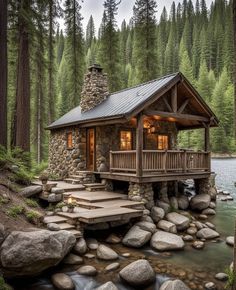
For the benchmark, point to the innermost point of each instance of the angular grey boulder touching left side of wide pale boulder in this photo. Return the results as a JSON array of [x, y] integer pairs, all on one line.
[[136, 237]]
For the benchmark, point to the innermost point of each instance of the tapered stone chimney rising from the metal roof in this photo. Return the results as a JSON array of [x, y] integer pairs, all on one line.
[[95, 88]]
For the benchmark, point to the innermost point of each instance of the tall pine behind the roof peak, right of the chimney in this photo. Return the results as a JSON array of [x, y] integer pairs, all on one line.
[[144, 54]]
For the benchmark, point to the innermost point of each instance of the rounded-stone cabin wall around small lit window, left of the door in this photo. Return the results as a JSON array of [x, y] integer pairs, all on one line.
[[64, 161]]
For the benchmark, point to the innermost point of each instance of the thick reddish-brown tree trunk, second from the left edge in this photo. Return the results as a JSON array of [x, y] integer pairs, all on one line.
[[23, 84]]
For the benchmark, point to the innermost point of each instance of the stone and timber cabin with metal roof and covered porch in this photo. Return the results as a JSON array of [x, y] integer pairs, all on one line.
[[130, 136]]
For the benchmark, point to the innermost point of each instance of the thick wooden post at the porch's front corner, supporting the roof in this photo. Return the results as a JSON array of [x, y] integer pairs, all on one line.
[[139, 145]]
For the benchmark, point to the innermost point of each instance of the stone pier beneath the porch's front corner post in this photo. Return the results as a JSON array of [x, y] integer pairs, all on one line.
[[142, 192]]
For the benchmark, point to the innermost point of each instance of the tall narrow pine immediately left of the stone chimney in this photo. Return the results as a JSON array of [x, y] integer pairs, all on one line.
[[74, 51]]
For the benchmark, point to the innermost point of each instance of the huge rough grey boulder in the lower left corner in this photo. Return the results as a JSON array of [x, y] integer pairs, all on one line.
[[30, 253]]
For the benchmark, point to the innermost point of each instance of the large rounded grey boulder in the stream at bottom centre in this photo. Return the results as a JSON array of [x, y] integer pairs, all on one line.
[[138, 274]]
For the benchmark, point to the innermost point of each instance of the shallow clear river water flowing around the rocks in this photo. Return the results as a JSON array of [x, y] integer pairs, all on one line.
[[215, 257]]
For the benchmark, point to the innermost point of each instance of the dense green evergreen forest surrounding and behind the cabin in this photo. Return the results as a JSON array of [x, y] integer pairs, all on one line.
[[43, 64]]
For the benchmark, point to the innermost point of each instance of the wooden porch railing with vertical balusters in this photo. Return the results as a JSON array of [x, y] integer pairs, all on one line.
[[164, 161]]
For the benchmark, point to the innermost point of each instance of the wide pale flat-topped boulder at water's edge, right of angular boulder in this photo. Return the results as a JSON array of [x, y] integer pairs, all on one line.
[[163, 241]]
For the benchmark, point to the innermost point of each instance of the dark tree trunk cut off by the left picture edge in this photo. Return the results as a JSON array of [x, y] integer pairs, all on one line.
[[3, 73]]
